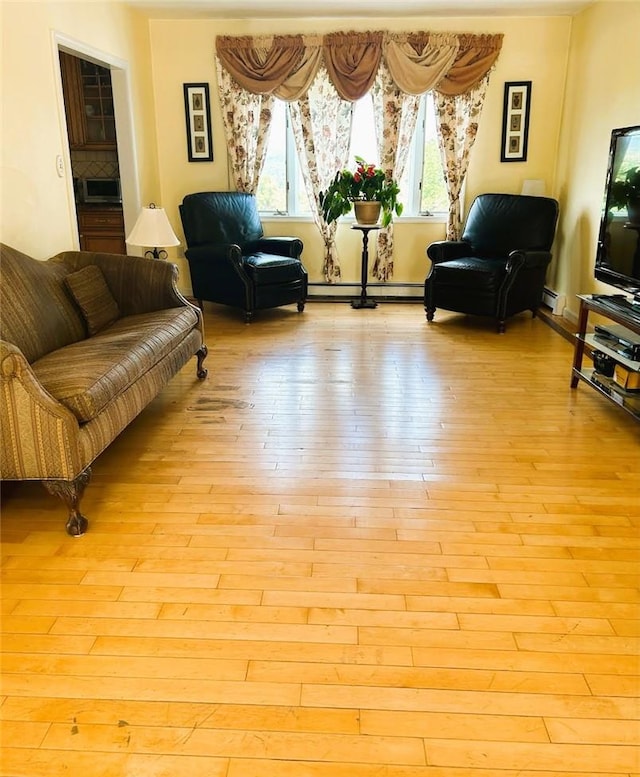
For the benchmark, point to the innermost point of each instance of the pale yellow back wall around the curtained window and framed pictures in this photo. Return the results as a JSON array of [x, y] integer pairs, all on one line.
[[534, 49]]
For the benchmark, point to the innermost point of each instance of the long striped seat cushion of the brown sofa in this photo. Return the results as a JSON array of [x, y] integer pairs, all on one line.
[[87, 375]]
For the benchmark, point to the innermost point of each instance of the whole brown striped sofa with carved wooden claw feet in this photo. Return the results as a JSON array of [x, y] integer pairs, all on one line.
[[87, 341]]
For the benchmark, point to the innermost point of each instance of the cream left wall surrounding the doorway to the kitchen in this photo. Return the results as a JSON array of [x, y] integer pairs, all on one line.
[[37, 210]]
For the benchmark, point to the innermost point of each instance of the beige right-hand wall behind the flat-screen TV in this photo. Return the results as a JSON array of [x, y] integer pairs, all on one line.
[[603, 92]]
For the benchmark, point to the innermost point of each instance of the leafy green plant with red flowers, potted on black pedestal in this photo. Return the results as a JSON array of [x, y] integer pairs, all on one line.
[[367, 183]]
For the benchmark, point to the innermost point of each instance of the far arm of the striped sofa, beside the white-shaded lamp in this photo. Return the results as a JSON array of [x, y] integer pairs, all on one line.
[[138, 285]]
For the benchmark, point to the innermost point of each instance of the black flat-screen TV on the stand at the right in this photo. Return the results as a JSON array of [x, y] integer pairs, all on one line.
[[618, 251]]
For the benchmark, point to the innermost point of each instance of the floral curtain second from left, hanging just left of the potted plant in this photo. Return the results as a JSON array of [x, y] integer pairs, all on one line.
[[321, 123]]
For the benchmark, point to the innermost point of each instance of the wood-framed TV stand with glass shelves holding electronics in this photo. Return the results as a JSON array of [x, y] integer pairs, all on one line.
[[607, 307]]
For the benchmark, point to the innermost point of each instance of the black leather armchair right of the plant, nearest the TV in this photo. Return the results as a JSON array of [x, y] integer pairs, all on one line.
[[498, 268]]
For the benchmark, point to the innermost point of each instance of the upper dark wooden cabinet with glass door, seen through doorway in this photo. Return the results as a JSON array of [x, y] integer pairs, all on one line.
[[88, 101]]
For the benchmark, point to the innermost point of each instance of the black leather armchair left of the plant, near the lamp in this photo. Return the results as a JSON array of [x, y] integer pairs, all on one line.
[[230, 259]]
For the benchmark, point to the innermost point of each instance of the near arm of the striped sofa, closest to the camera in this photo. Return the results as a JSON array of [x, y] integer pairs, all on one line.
[[39, 435]]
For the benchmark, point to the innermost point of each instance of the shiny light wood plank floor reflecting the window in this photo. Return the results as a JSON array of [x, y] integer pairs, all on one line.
[[363, 547]]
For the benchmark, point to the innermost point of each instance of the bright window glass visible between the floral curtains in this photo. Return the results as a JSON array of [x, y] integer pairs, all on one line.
[[281, 189]]
